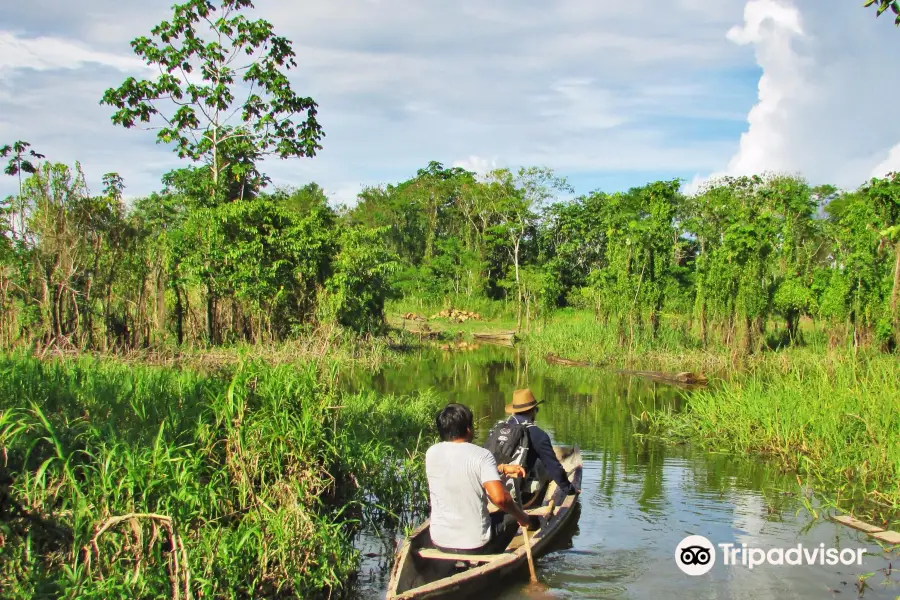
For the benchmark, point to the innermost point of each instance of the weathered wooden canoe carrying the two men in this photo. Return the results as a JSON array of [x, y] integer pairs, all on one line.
[[421, 571]]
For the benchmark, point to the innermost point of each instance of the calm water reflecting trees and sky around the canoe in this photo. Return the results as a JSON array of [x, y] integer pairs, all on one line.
[[640, 497]]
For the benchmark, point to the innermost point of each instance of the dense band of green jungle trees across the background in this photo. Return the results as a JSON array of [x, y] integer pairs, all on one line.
[[94, 272]]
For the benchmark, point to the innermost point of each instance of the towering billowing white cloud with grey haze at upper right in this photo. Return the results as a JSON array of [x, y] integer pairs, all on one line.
[[814, 113]]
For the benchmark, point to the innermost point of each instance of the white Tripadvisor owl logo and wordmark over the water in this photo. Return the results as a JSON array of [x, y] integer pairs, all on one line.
[[696, 555]]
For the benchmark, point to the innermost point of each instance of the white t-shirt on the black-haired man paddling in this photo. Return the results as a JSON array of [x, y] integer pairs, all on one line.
[[456, 474]]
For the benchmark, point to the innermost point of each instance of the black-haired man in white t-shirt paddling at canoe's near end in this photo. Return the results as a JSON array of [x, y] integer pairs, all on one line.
[[461, 479]]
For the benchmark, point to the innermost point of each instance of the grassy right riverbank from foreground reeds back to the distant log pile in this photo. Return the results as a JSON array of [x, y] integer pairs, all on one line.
[[830, 415]]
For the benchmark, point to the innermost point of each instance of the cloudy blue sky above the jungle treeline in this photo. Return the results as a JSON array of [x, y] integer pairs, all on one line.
[[609, 94]]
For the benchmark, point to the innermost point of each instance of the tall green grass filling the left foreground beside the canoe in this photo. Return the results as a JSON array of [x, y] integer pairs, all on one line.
[[128, 481]]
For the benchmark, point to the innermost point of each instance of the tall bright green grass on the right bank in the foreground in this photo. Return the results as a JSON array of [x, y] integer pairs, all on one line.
[[834, 419]]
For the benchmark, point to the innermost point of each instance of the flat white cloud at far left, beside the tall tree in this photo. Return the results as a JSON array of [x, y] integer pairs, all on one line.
[[46, 53]]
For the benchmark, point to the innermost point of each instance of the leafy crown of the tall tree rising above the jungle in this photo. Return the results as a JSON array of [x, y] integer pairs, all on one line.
[[197, 114]]
